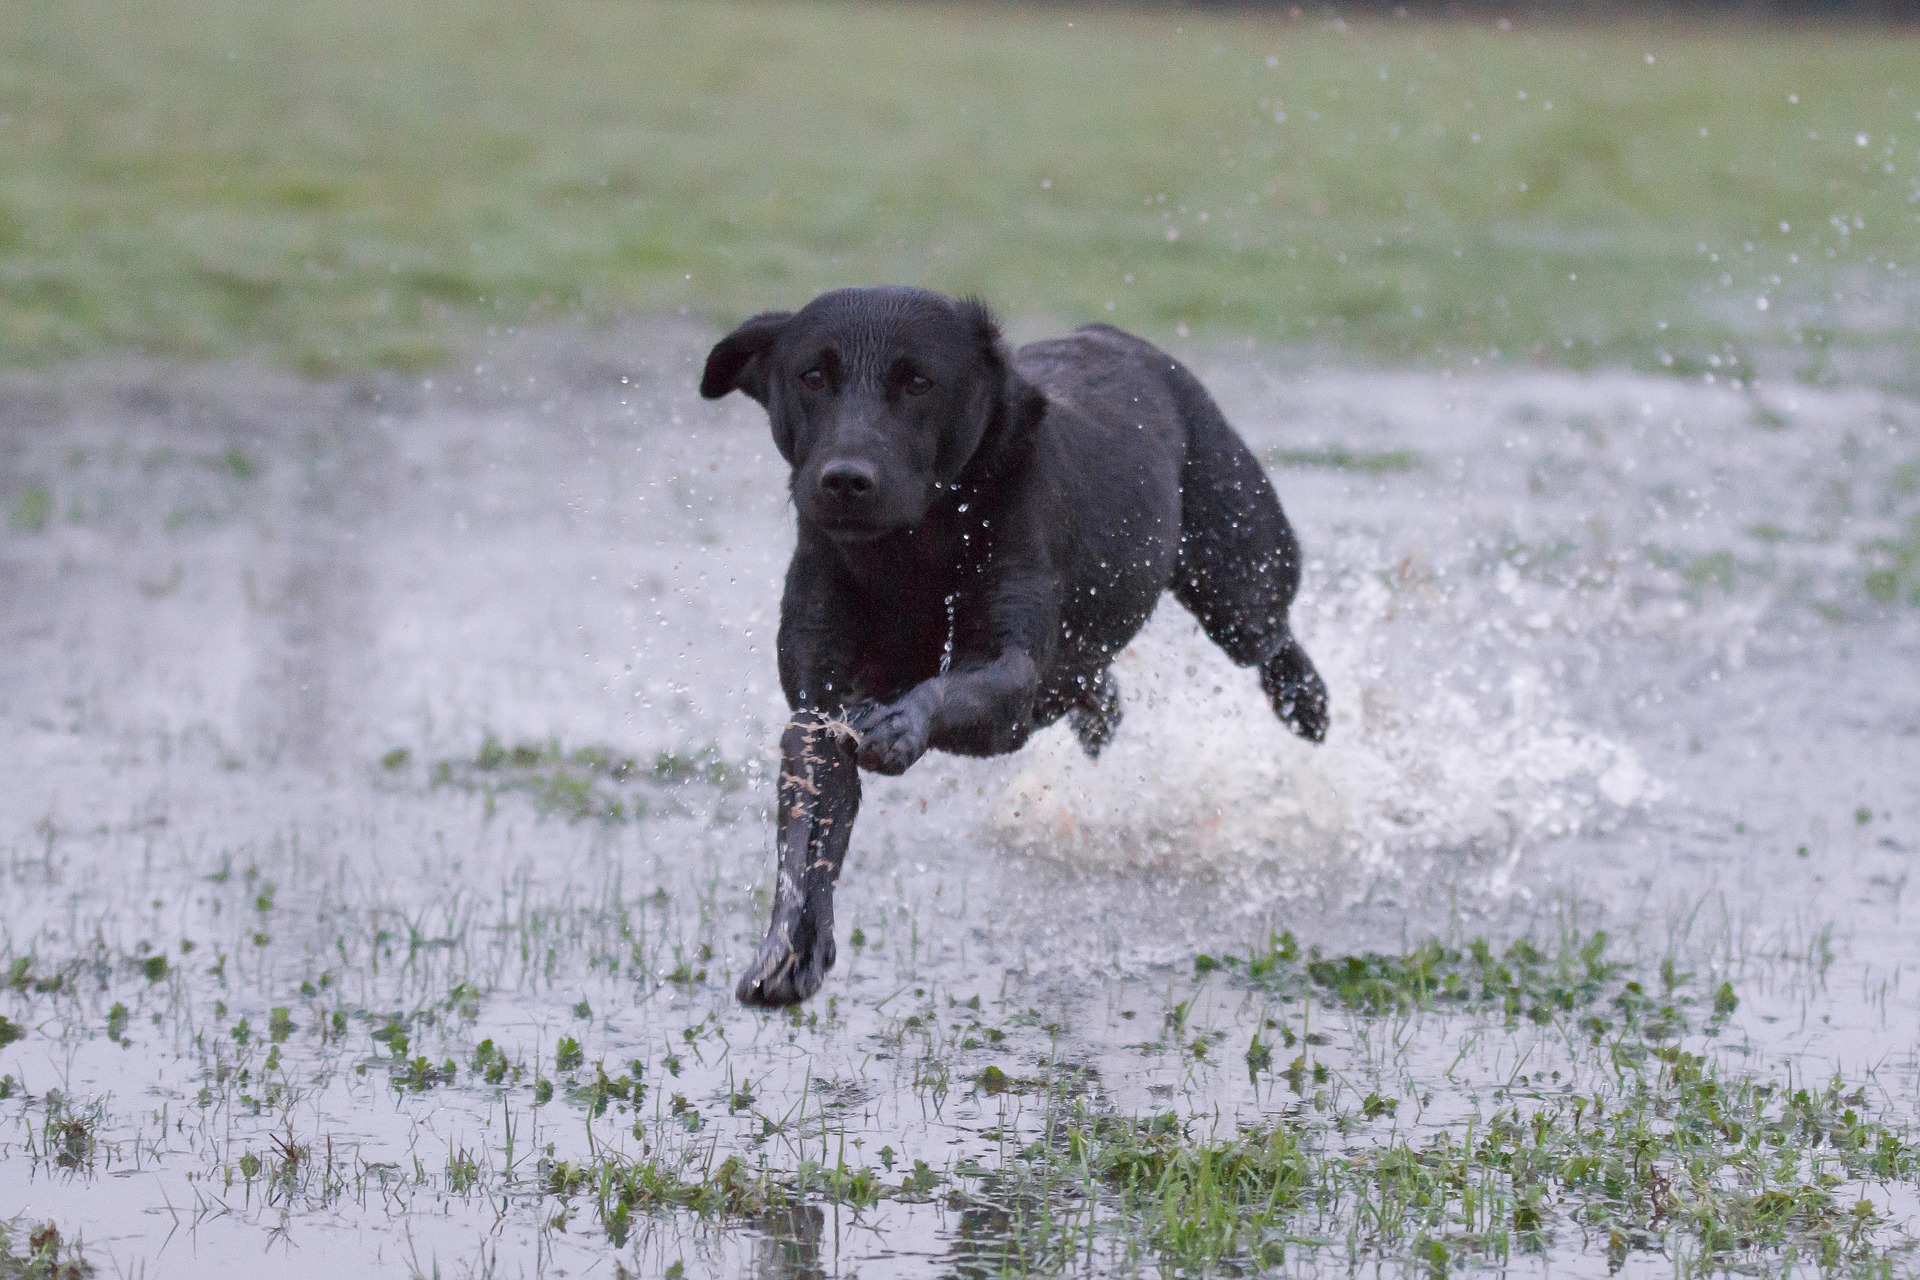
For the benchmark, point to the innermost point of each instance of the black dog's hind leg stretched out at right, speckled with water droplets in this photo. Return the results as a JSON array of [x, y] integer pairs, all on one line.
[[1239, 561]]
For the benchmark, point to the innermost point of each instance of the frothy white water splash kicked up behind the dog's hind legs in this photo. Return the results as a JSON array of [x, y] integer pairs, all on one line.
[[1203, 776]]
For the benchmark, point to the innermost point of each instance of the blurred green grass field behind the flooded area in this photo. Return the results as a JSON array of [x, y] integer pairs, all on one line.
[[350, 183]]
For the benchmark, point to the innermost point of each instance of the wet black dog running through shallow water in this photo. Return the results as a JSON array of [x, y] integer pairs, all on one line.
[[980, 534]]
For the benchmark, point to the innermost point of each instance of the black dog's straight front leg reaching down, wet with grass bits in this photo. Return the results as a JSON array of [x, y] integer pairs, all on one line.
[[819, 799]]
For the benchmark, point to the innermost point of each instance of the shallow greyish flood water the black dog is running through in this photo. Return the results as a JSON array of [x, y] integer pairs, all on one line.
[[1600, 648]]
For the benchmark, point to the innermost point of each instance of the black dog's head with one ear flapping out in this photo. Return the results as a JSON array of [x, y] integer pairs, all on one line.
[[880, 398]]
